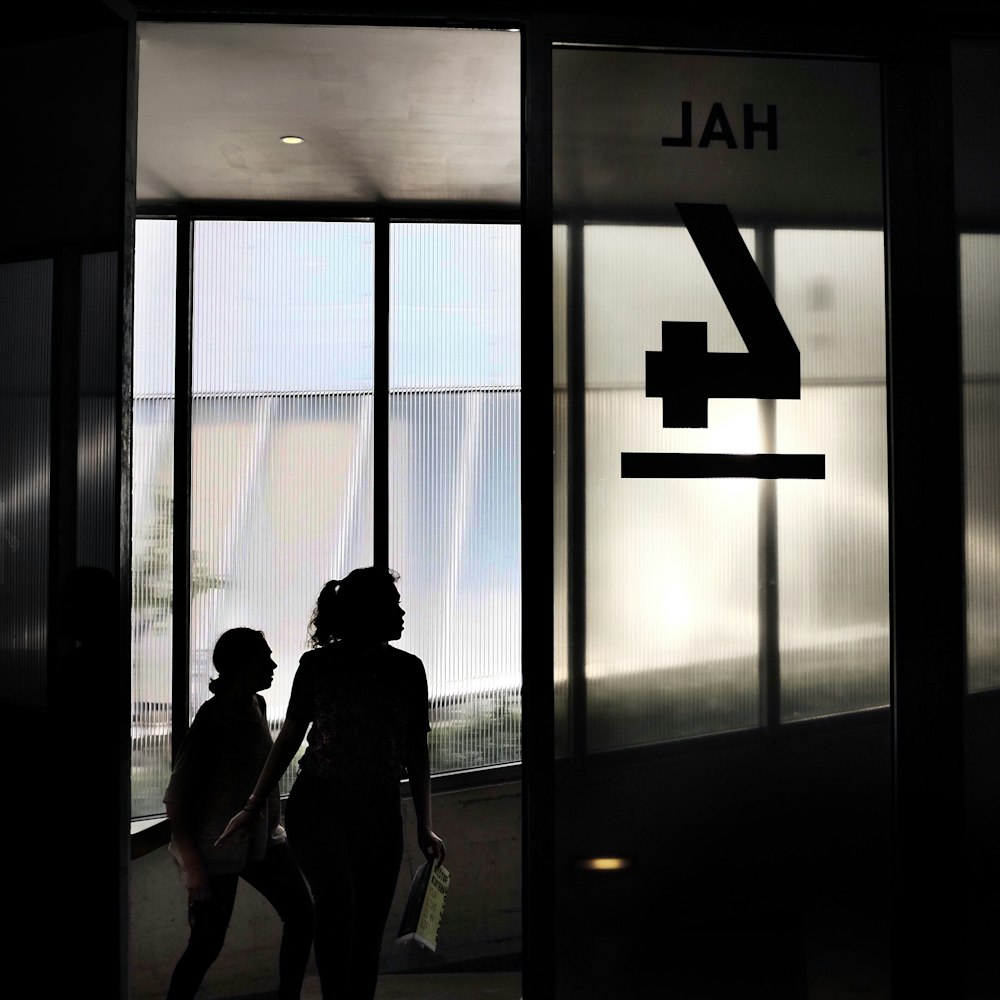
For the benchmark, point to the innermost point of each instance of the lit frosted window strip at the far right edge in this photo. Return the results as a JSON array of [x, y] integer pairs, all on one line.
[[980, 289]]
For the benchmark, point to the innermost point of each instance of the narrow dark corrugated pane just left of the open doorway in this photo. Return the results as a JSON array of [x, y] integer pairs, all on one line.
[[97, 448]]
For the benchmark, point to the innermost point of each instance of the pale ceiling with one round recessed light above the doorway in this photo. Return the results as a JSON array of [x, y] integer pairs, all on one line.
[[389, 114]]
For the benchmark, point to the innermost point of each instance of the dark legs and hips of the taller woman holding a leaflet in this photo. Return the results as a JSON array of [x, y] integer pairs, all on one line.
[[349, 849]]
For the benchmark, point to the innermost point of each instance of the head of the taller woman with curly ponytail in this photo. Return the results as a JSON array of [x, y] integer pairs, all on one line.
[[364, 605]]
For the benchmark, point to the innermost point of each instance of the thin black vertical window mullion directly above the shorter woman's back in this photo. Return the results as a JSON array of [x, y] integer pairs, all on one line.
[[181, 622]]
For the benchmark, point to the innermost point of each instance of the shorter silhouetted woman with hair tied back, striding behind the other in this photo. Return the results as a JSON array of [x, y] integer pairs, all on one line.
[[215, 771]]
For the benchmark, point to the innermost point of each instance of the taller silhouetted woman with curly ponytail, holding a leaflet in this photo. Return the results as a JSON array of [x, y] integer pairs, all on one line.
[[364, 704]]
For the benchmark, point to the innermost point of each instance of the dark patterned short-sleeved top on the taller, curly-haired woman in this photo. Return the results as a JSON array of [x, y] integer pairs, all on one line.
[[364, 705]]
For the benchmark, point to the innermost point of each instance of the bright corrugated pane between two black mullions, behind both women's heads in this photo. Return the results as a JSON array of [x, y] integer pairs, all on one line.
[[281, 478]]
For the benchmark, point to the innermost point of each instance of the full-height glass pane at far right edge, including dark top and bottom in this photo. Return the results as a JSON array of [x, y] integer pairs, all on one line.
[[975, 80]]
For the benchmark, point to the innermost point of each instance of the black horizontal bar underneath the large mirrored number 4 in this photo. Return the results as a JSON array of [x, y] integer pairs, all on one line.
[[695, 465]]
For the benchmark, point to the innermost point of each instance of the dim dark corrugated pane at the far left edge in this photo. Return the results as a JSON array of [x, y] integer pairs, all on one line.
[[25, 392]]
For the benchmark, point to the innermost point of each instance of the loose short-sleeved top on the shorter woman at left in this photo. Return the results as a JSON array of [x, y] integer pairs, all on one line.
[[215, 772]]
